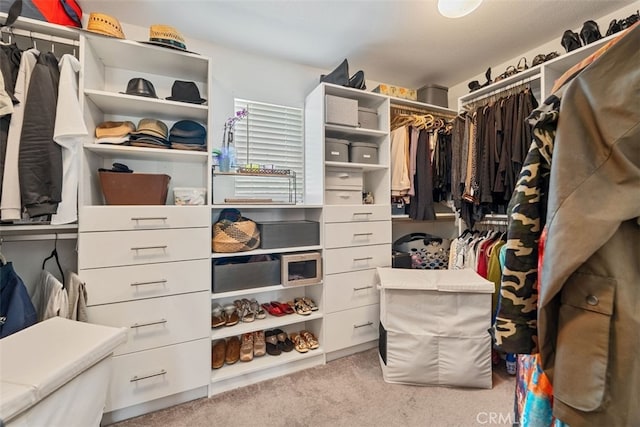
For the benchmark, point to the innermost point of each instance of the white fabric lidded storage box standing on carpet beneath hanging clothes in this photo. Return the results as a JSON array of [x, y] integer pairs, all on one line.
[[434, 327]]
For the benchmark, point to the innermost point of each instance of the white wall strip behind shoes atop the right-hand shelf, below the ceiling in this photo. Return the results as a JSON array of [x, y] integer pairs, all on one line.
[[552, 45]]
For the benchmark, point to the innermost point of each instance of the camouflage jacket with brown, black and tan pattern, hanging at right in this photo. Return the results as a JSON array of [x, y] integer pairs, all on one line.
[[515, 327]]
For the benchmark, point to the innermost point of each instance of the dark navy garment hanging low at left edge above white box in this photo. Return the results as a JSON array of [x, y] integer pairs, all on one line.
[[16, 309]]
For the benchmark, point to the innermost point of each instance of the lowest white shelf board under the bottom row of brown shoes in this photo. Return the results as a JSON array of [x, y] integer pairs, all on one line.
[[262, 363]]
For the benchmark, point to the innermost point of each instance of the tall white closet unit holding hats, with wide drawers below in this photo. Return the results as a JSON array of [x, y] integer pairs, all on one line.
[[146, 268]]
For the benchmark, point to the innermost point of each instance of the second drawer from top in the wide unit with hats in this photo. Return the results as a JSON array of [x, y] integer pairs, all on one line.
[[118, 248]]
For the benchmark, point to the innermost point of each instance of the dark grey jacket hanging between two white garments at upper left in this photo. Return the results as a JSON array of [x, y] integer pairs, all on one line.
[[40, 159]]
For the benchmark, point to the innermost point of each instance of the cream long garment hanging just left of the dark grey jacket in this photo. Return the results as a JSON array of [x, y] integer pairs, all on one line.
[[10, 204]]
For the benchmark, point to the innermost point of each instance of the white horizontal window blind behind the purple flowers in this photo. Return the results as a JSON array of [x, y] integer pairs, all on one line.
[[270, 135]]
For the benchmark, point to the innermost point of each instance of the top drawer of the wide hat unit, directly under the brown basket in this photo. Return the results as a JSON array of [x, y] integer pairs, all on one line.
[[111, 218]]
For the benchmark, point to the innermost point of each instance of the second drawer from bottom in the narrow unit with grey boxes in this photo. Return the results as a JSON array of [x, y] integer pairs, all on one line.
[[350, 290]]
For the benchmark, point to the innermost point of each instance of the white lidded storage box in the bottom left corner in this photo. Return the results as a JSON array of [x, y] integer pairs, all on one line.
[[57, 373]]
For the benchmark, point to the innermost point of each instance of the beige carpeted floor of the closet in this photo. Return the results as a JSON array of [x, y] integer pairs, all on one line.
[[345, 392]]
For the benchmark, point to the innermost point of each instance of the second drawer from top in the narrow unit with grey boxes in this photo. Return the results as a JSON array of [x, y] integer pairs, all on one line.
[[344, 234]]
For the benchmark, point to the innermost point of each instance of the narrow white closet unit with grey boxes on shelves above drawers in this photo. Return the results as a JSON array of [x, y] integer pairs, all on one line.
[[357, 237]]
